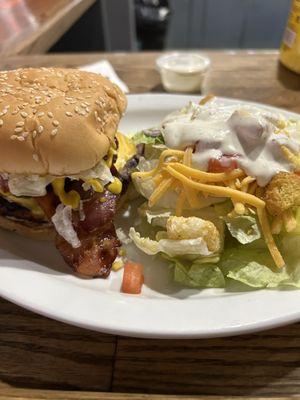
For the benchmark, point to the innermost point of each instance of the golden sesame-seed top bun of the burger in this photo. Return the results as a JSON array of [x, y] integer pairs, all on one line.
[[56, 121]]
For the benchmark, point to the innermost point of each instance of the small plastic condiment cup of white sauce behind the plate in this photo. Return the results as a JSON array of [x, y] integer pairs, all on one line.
[[183, 72]]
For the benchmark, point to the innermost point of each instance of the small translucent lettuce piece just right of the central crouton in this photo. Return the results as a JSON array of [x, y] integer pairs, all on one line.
[[243, 227]]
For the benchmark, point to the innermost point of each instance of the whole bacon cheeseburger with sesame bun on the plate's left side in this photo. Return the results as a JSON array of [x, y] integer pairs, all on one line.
[[63, 166]]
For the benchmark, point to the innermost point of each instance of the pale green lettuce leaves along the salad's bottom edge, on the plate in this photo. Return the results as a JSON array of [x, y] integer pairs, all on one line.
[[250, 265]]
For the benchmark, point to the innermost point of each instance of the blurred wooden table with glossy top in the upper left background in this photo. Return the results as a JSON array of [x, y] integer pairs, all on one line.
[[33, 26]]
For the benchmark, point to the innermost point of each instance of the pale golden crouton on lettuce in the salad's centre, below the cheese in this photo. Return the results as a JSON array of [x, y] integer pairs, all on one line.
[[179, 228]]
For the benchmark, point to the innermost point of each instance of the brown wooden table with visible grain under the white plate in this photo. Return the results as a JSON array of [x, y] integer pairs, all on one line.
[[38, 353]]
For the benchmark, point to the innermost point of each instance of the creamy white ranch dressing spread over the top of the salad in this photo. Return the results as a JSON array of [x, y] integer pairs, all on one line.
[[247, 134]]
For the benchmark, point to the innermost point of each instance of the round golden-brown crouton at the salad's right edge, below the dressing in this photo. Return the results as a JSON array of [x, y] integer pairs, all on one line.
[[282, 193]]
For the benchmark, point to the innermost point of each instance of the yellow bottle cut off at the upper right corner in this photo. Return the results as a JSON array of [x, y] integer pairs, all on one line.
[[290, 46]]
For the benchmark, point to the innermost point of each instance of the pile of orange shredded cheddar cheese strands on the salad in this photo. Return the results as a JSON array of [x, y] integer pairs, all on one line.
[[174, 169]]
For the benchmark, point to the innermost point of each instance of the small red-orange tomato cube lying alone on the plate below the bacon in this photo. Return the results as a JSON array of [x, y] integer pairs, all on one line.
[[133, 278]]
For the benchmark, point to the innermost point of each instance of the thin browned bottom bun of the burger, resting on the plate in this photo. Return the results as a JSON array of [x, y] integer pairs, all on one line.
[[30, 229]]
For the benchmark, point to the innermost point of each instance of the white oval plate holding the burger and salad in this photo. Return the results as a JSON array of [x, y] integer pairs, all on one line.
[[33, 275]]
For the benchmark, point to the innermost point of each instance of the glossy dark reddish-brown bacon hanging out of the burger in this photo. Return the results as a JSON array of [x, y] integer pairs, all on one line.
[[99, 243]]
